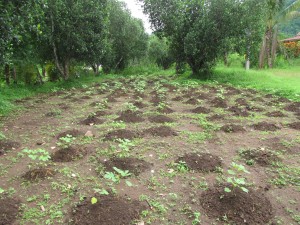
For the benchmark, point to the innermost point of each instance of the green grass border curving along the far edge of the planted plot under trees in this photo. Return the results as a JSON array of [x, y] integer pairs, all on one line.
[[263, 80]]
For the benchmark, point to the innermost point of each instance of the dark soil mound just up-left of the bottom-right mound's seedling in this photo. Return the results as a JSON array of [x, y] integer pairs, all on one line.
[[203, 162]]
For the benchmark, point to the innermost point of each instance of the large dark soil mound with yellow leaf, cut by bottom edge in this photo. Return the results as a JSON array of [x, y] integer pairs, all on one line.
[[107, 211]]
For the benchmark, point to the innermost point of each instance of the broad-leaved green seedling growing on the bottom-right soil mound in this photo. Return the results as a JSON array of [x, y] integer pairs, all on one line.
[[235, 178]]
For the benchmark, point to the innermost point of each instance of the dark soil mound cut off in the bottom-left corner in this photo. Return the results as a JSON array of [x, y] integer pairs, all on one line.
[[9, 210]]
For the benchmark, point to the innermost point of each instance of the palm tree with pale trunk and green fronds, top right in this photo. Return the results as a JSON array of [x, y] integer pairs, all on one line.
[[277, 12]]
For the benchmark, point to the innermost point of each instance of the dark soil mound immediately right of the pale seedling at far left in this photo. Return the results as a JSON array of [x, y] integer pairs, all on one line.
[[68, 154]]
